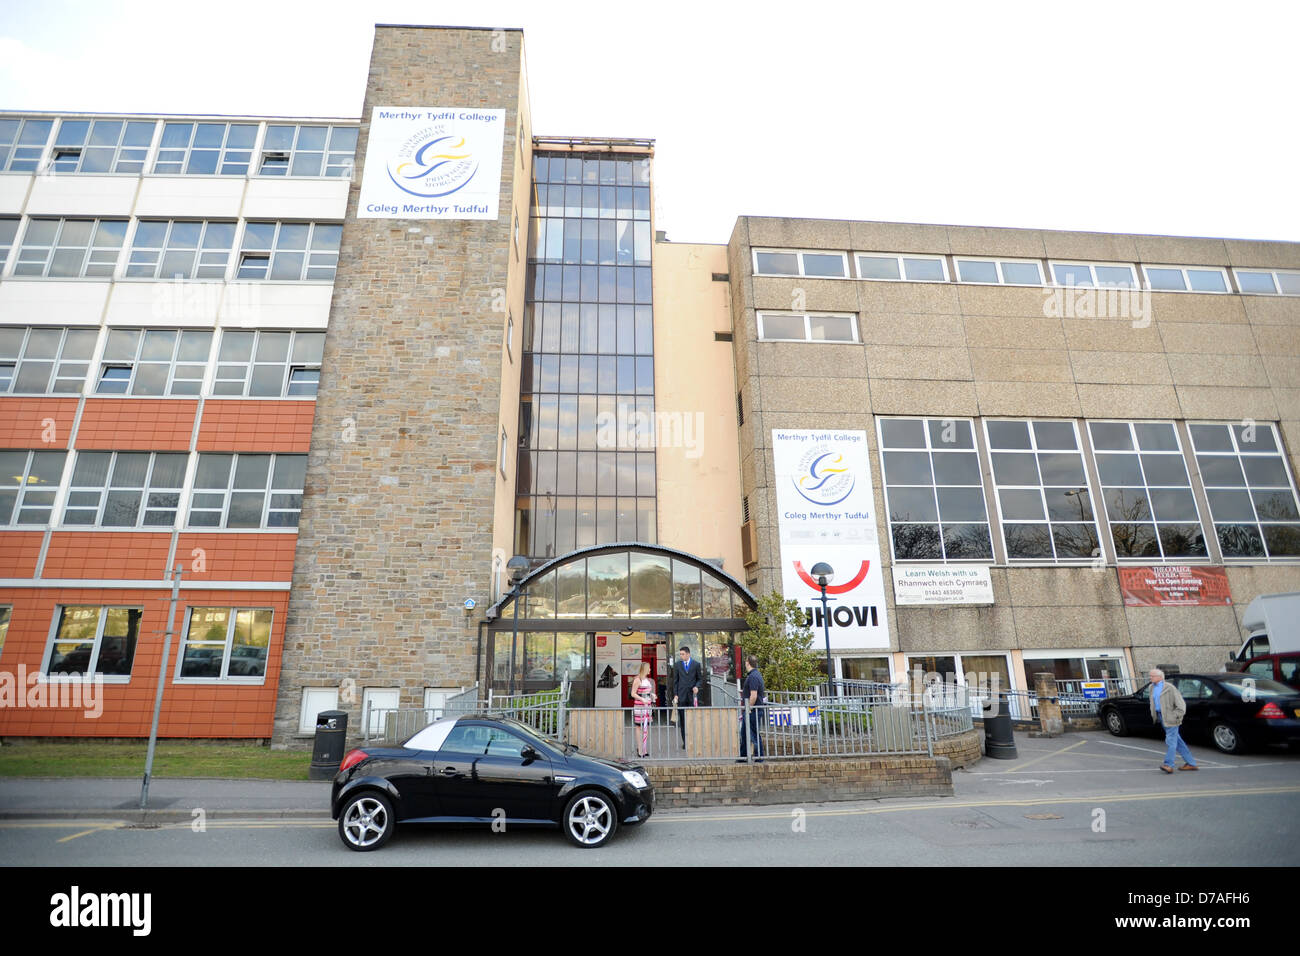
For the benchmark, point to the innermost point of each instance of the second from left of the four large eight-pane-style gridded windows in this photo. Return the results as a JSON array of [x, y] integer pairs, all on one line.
[[1043, 491]]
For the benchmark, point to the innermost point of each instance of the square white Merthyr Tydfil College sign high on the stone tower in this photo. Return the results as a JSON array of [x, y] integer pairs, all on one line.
[[432, 163]]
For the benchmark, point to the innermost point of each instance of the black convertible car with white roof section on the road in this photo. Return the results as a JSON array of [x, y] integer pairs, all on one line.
[[486, 771]]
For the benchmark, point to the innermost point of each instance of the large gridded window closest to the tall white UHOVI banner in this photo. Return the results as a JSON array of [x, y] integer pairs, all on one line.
[[934, 491]]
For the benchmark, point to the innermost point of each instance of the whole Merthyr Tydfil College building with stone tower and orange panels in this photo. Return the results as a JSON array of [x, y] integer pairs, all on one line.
[[423, 403]]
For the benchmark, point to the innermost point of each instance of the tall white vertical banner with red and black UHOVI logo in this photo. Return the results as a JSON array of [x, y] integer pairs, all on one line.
[[826, 507]]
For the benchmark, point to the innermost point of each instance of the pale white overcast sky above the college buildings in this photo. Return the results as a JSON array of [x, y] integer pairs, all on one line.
[[1172, 119]]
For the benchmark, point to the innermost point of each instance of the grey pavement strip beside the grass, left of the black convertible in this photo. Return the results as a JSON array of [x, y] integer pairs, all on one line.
[[171, 801]]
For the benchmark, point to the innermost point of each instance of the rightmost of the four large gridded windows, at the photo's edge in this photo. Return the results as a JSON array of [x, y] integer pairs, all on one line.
[[1251, 495]]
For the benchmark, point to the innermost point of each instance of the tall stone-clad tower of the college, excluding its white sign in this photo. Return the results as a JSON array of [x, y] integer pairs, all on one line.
[[409, 500]]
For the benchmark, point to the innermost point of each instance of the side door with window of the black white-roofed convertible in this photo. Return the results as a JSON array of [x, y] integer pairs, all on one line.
[[484, 771]]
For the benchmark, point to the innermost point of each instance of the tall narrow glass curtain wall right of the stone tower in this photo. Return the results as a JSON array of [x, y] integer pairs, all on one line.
[[587, 465]]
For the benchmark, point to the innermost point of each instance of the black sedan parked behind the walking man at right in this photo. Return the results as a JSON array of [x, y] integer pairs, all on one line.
[[1234, 712]]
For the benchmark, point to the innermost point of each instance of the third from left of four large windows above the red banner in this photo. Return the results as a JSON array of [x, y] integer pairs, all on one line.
[[1147, 492]]
